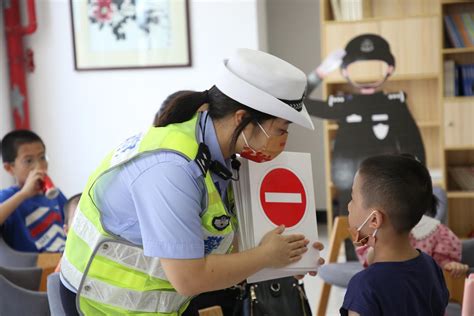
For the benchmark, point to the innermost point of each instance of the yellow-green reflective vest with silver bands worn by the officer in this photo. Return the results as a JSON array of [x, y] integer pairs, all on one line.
[[112, 275]]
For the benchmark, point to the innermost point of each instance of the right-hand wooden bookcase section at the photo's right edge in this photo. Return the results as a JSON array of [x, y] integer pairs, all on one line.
[[458, 120]]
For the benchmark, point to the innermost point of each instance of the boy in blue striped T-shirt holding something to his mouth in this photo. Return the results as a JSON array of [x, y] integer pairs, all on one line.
[[29, 221]]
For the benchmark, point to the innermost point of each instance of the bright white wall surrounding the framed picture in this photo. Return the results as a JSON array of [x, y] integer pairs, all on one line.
[[82, 115]]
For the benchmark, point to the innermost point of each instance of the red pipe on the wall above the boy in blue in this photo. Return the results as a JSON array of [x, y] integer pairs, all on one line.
[[18, 58]]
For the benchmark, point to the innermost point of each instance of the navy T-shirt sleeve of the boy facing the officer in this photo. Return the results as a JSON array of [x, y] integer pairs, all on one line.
[[360, 298]]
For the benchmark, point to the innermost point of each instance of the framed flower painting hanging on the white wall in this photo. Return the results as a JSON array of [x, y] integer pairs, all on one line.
[[124, 34]]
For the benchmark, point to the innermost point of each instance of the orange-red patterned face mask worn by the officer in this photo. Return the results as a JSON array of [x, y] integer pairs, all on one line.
[[274, 146]]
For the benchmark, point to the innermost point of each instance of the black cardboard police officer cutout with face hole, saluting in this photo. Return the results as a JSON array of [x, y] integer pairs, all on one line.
[[371, 122]]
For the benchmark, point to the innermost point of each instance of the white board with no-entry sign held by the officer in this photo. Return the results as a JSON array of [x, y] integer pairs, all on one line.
[[274, 193]]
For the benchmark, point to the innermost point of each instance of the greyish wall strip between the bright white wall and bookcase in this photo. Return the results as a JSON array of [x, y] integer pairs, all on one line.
[[294, 35]]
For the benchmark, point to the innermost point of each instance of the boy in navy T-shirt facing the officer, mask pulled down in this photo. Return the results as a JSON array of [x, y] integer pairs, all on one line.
[[390, 194]]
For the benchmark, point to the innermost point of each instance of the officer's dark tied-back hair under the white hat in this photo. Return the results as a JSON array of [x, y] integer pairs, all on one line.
[[183, 106]]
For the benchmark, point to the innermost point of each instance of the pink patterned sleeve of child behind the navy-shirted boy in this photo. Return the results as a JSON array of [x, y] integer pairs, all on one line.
[[447, 247]]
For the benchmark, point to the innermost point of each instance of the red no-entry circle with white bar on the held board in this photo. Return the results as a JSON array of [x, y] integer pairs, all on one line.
[[283, 197]]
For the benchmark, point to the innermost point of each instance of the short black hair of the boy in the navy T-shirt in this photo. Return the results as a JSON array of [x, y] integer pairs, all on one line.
[[400, 185]]
